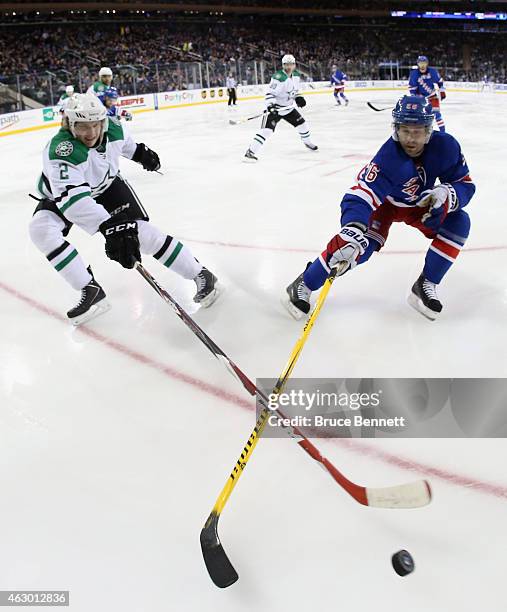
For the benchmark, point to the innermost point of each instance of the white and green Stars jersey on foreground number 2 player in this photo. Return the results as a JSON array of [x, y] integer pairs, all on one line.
[[73, 175]]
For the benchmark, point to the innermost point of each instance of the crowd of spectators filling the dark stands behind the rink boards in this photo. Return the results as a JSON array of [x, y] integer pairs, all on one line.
[[163, 55]]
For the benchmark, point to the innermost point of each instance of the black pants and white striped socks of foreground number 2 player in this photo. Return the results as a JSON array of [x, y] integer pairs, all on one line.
[[49, 229]]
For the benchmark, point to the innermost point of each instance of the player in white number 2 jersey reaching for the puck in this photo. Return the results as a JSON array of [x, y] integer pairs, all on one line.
[[81, 184]]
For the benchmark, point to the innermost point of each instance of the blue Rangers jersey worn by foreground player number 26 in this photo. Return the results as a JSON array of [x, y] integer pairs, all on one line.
[[395, 177]]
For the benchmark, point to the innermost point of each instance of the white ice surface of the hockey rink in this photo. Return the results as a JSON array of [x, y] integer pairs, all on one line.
[[117, 437]]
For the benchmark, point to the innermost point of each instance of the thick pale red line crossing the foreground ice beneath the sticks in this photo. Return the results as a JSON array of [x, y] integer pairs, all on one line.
[[498, 491]]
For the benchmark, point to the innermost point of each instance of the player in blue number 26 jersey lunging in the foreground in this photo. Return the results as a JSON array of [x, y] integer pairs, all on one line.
[[399, 185]]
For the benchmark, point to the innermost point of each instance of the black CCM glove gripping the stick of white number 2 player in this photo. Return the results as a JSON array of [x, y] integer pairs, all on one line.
[[122, 240]]
